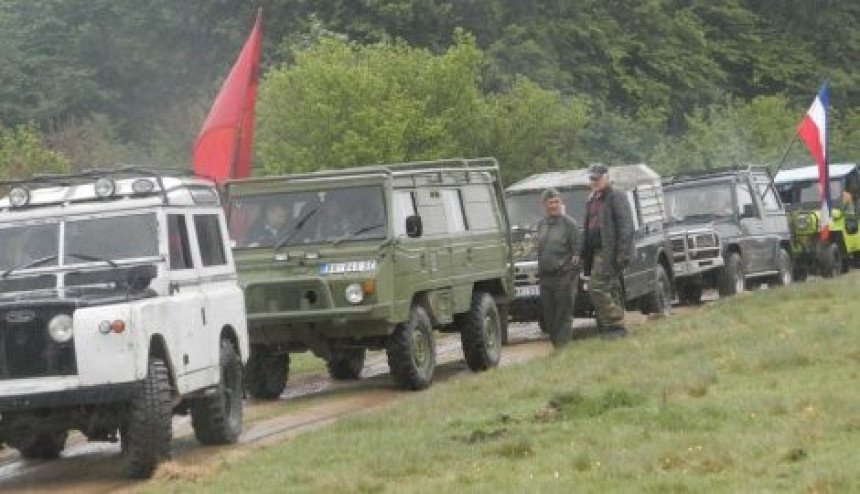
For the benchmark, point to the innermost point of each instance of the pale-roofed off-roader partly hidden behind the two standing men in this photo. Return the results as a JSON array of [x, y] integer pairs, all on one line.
[[647, 282]]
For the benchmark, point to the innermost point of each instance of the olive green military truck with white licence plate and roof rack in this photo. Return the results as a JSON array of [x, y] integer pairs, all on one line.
[[339, 262]]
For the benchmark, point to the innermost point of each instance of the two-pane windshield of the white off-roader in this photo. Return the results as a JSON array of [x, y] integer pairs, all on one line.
[[111, 238]]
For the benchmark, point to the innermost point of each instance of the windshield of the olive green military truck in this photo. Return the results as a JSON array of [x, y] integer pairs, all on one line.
[[323, 216]]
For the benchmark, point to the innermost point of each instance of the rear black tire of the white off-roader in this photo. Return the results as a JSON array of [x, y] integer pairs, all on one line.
[[217, 419]]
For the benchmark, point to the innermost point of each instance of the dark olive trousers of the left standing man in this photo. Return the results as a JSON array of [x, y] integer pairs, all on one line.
[[557, 292]]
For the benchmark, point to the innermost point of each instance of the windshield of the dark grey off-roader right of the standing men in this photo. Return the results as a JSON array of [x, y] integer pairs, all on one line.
[[703, 200]]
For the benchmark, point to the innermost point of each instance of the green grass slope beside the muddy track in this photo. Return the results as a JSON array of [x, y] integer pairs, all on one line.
[[758, 393]]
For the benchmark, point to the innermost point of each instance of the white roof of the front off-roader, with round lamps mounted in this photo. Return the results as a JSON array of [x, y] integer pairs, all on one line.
[[168, 188]]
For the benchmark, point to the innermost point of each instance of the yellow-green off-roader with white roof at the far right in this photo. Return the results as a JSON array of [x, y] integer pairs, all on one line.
[[798, 189]]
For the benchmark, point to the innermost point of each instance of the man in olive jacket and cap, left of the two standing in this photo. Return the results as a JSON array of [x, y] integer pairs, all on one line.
[[558, 260]]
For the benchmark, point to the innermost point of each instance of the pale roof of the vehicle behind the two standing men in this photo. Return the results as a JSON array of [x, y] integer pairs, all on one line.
[[623, 176]]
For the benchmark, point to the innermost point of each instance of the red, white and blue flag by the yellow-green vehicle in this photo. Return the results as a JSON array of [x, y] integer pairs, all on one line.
[[813, 131]]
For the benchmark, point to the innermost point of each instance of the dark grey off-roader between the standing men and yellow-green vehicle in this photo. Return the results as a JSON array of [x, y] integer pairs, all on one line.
[[741, 204]]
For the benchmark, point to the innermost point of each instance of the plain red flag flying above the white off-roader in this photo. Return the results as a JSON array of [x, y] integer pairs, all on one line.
[[223, 147]]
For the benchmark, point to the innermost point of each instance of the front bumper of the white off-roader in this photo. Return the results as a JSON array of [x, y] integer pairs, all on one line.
[[59, 392]]
